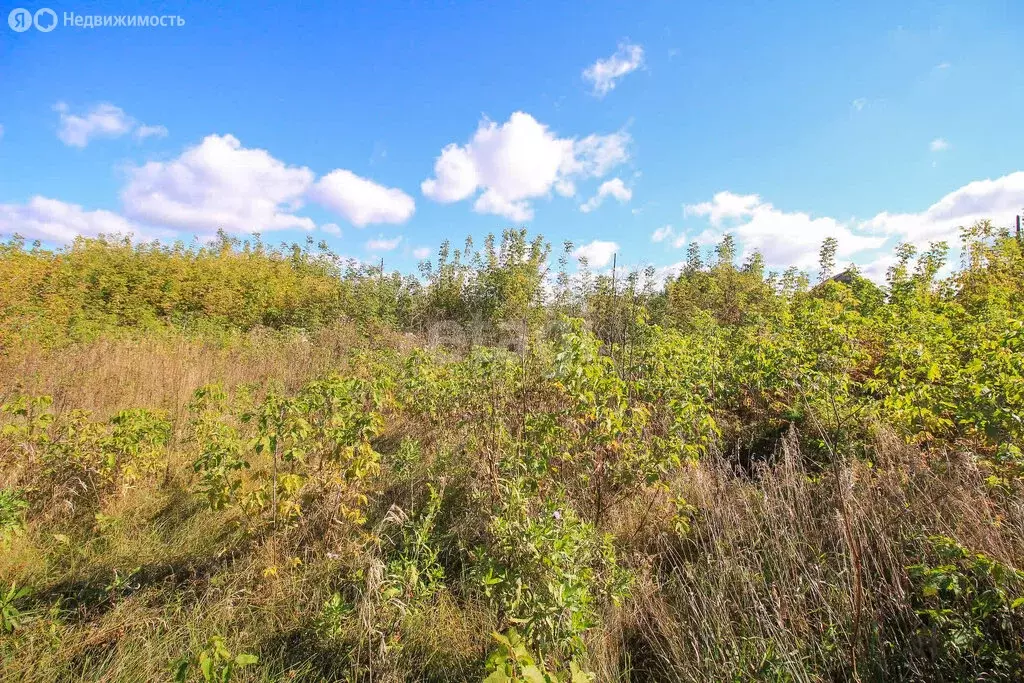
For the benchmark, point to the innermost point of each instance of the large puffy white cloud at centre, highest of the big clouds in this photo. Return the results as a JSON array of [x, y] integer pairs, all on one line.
[[517, 162]]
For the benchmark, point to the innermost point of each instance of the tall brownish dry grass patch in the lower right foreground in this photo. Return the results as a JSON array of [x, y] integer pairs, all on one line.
[[797, 575]]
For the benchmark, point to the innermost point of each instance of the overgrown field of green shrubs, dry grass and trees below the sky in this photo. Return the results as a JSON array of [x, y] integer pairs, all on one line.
[[263, 464]]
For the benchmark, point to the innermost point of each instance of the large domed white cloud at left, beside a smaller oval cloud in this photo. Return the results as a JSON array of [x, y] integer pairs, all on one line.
[[220, 185]]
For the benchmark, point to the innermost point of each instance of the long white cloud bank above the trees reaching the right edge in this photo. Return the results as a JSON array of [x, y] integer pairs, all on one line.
[[794, 238]]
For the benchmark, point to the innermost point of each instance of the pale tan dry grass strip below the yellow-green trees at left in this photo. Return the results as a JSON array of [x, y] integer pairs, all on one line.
[[163, 371]]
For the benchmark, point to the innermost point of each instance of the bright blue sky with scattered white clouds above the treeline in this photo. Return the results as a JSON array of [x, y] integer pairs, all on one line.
[[385, 129]]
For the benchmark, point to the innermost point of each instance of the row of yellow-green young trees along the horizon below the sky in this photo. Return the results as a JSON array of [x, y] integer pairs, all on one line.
[[109, 283]]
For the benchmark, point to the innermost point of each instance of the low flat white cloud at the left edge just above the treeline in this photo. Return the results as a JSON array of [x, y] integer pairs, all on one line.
[[54, 221]]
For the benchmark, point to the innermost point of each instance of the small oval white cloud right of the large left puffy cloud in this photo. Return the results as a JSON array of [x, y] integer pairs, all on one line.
[[362, 201]]
